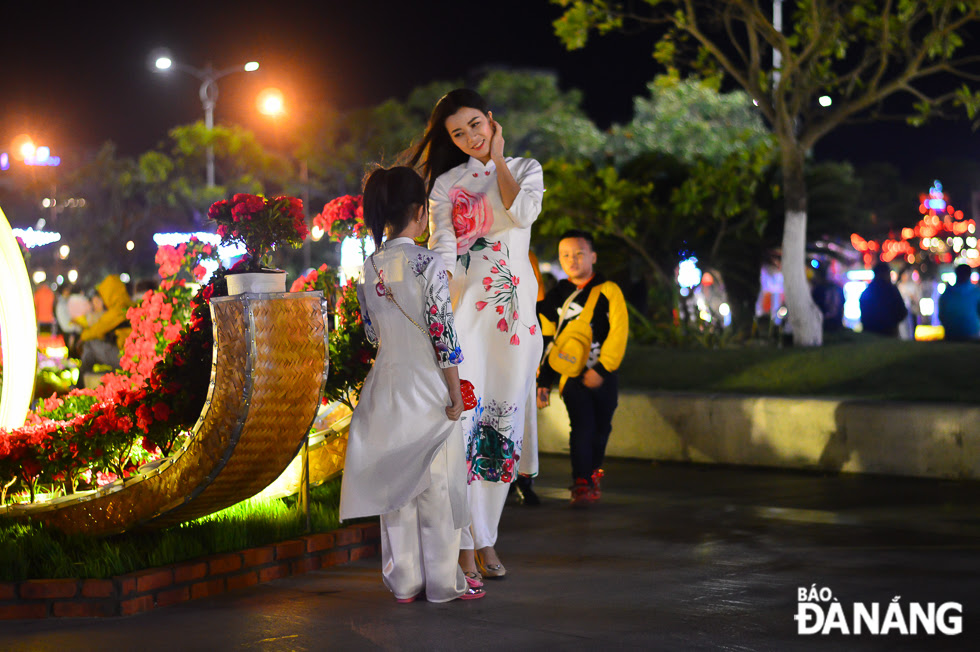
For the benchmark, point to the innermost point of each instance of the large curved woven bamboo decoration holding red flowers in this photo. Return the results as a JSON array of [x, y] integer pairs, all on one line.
[[267, 376]]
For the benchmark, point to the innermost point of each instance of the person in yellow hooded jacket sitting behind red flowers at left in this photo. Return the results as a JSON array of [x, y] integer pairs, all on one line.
[[102, 340]]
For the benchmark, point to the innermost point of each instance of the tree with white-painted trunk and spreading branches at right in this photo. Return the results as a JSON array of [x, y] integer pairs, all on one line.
[[863, 53]]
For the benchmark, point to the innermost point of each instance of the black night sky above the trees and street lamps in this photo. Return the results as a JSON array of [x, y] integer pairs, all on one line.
[[75, 73]]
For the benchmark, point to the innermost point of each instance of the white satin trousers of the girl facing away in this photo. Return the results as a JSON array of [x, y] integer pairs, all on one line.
[[420, 545]]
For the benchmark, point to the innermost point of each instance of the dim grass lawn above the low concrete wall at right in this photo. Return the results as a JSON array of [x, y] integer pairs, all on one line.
[[848, 366]]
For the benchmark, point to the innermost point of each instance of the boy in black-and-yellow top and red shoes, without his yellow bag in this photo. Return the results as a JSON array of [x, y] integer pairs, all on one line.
[[591, 397]]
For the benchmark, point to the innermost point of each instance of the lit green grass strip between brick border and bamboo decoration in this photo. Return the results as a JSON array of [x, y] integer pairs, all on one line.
[[31, 550]]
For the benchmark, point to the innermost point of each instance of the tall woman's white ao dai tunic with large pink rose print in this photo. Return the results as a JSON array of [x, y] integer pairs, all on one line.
[[494, 294]]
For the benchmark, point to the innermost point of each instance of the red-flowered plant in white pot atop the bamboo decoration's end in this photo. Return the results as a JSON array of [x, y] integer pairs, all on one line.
[[260, 224]]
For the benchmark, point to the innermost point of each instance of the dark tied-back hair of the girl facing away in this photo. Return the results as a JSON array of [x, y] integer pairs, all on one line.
[[391, 198]]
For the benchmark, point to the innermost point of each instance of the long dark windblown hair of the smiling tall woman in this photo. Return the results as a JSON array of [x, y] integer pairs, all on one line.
[[436, 151]]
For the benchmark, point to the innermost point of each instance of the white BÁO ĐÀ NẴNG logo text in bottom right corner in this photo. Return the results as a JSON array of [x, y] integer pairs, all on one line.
[[819, 612]]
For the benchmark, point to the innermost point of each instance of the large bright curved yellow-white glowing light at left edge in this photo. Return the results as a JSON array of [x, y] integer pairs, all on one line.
[[18, 331]]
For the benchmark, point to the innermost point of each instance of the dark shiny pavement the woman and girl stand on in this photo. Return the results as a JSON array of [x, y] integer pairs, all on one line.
[[676, 557]]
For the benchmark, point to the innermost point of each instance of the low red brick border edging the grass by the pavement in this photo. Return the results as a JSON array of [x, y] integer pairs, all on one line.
[[133, 593]]
